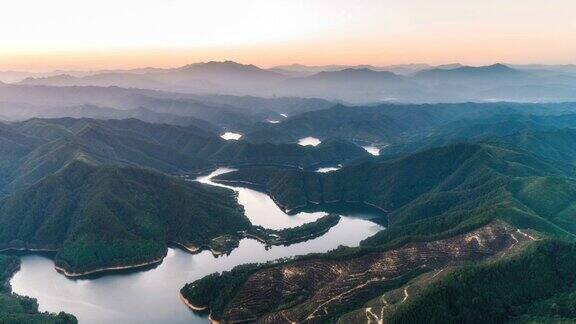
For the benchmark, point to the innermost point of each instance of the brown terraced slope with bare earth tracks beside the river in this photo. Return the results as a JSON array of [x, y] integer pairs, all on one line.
[[317, 290]]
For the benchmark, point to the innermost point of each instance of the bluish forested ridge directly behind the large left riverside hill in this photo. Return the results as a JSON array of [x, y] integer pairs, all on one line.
[[39, 147]]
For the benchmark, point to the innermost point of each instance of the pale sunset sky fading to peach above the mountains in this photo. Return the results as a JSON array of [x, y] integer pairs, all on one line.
[[97, 34]]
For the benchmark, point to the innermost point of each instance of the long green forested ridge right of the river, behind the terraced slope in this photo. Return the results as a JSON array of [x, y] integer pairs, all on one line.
[[436, 190]]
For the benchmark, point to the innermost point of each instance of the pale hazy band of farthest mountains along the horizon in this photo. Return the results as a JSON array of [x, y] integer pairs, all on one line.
[[355, 84]]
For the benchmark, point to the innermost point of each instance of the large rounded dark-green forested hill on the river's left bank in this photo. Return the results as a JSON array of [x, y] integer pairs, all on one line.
[[99, 217]]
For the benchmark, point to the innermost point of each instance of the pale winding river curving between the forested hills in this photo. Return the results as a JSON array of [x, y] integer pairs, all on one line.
[[151, 296]]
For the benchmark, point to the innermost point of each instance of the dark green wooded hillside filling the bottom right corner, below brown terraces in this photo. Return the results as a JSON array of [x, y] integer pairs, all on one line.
[[537, 285]]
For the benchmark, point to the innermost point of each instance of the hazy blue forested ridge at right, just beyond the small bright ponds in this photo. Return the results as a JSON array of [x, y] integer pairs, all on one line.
[[397, 124]]
